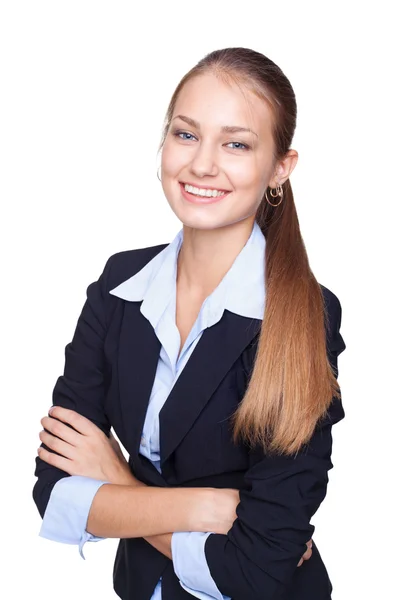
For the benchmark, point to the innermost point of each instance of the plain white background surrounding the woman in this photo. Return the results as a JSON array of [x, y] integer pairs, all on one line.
[[84, 89]]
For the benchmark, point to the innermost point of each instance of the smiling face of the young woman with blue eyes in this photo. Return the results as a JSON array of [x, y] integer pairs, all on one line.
[[219, 139]]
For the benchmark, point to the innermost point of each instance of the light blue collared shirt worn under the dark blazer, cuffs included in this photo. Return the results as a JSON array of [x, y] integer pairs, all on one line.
[[242, 291]]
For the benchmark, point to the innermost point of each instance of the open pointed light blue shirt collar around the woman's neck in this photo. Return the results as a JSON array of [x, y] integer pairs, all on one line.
[[242, 290]]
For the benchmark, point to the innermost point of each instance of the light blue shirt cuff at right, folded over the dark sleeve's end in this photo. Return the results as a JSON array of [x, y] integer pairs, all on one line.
[[190, 565]]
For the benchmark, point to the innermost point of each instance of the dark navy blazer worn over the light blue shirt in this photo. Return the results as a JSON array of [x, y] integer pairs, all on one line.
[[109, 373]]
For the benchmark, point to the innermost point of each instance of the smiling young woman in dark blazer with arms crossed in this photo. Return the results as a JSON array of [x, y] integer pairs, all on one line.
[[229, 449]]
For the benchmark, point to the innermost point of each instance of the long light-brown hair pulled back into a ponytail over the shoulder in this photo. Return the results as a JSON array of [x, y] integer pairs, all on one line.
[[292, 382]]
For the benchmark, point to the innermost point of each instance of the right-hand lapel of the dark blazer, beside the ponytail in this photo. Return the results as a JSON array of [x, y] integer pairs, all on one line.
[[219, 347]]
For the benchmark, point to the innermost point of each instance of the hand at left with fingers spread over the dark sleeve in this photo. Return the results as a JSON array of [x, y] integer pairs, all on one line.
[[85, 450]]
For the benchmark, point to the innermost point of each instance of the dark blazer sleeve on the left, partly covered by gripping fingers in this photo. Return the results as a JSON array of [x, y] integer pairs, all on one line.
[[82, 386]]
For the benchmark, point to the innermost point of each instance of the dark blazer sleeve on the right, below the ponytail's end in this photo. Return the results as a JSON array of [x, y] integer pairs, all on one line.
[[259, 555]]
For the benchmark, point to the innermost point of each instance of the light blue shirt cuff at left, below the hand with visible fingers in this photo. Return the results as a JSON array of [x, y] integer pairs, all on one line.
[[67, 511]]
